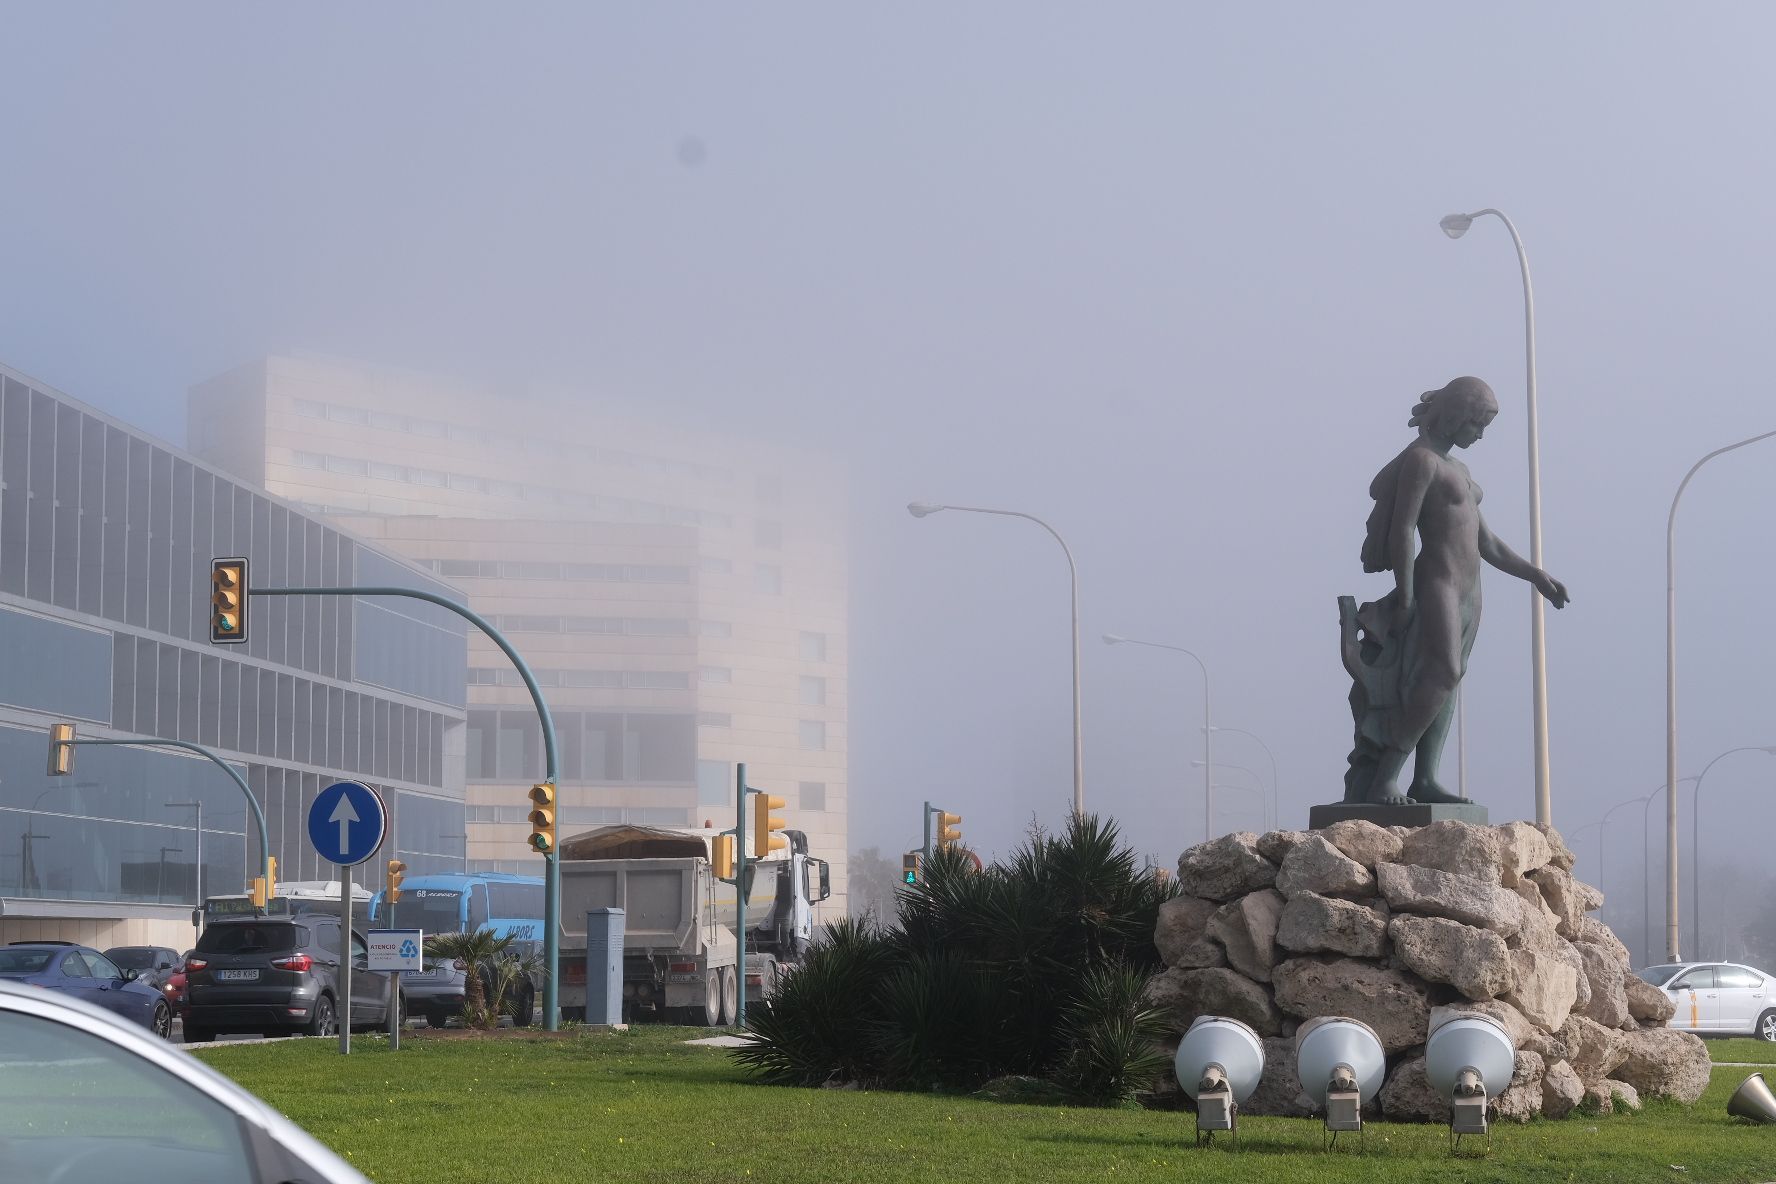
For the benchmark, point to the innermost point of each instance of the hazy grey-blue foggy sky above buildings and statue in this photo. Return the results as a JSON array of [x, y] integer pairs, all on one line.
[[1168, 276]]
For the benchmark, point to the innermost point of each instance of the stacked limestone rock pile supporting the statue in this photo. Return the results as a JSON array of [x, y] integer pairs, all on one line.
[[1393, 926]]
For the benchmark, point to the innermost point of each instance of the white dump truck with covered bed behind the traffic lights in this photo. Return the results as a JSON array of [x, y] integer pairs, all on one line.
[[679, 920]]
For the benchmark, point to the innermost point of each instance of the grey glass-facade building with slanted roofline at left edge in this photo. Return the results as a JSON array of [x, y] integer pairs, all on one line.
[[106, 548]]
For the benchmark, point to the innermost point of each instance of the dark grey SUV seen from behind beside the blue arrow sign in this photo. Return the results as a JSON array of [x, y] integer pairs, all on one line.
[[280, 977]]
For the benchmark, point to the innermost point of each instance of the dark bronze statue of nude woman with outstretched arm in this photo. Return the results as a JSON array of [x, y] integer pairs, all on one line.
[[1407, 652]]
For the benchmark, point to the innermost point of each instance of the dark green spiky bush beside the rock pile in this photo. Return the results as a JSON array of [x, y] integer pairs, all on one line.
[[1022, 970]]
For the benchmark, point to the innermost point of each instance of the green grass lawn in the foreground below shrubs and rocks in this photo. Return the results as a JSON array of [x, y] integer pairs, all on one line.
[[644, 1107]]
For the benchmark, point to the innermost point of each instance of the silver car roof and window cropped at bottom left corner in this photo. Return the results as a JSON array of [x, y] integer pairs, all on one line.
[[86, 1070]]
